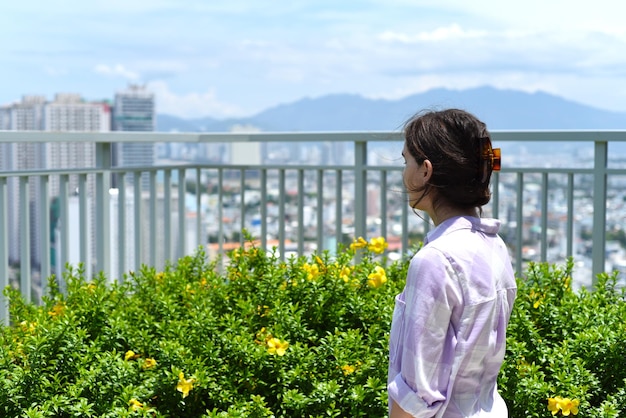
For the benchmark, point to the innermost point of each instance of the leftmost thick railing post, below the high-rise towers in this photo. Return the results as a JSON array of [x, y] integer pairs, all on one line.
[[103, 219]]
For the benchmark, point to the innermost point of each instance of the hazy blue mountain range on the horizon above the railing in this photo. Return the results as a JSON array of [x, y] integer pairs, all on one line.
[[499, 109]]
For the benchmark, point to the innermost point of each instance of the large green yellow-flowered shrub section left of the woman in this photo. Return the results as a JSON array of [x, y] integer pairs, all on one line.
[[305, 337]]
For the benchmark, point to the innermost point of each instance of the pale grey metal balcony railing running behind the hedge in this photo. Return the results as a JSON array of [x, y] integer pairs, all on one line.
[[558, 195]]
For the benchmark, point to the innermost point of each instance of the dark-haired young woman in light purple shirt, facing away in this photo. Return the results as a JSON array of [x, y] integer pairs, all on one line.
[[448, 333]]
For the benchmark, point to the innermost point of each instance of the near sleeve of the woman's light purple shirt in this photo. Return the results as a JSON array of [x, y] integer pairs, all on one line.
[[426, 341]]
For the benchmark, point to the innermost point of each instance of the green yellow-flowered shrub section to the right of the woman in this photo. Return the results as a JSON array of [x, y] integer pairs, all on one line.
[[565, 344]]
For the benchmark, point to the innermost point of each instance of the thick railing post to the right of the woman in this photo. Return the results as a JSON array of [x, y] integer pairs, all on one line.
[[598, 251]]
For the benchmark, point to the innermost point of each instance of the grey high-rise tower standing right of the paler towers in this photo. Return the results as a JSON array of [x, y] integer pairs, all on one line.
[[134, 111]]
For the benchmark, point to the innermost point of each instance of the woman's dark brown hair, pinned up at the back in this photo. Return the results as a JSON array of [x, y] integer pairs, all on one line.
[[452, 140]]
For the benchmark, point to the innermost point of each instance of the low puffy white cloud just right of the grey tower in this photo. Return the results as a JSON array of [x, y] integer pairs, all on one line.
[[190, 105]]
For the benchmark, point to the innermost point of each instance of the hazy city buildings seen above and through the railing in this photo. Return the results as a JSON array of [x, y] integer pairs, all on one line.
[[133, 109]]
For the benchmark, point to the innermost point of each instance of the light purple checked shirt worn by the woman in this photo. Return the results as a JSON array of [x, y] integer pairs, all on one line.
[[448, 335]]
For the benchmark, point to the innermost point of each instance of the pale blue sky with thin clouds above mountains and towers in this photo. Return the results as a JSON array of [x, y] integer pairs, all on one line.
[[235, 58]]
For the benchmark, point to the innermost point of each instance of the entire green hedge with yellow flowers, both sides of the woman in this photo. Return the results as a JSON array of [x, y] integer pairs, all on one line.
[[305, 337]]
